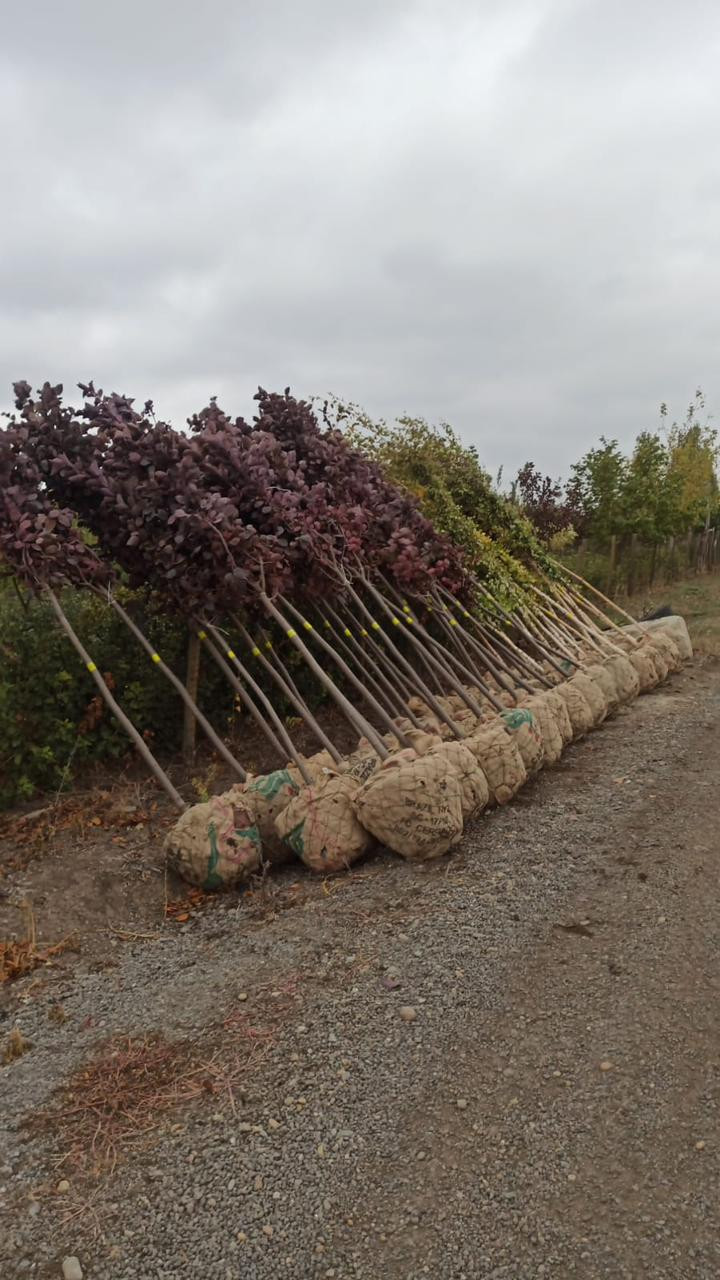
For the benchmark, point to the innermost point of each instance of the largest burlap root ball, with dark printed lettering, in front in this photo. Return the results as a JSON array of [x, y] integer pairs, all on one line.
[[414, 807]]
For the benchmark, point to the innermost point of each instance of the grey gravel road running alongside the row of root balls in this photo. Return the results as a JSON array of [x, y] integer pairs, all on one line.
[[500, 1067]]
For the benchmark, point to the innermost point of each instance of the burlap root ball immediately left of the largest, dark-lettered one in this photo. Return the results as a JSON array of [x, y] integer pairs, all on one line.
[[320, 825]]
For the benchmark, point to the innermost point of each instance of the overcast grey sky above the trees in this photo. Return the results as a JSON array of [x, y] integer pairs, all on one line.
[[499, 213]]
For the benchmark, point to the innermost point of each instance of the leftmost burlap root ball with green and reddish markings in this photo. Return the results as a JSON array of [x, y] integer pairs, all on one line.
[[216, 844]]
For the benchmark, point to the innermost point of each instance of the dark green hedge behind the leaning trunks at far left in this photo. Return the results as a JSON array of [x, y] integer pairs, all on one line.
[[52, 720]]
